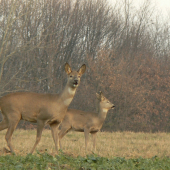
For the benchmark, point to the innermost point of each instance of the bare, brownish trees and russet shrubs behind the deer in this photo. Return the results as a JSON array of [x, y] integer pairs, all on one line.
[[126, 51]]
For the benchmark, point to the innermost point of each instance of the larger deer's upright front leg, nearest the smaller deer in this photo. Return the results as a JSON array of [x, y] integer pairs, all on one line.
[[54, 131]]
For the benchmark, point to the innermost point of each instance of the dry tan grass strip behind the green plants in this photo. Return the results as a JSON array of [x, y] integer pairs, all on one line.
[[116, 144]]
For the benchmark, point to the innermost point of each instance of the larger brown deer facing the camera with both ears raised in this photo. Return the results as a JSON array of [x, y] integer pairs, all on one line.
[[40, 108]]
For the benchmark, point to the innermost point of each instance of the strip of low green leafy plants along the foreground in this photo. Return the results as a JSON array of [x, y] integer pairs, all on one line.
[[91, 162]]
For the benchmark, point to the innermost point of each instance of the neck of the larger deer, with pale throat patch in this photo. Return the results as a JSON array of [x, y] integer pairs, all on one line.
[[67, 95]]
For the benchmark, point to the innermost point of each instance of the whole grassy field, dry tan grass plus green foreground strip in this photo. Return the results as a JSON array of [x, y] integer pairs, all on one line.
[[127, 149]]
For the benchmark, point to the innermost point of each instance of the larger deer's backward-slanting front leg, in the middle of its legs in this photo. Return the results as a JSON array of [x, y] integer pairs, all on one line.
[[40, 126]]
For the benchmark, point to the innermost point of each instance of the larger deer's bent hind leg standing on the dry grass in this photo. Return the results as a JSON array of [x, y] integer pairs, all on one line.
[[8, 136]]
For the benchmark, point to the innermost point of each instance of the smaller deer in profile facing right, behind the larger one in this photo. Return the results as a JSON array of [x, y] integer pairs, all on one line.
[[87, 122]]
